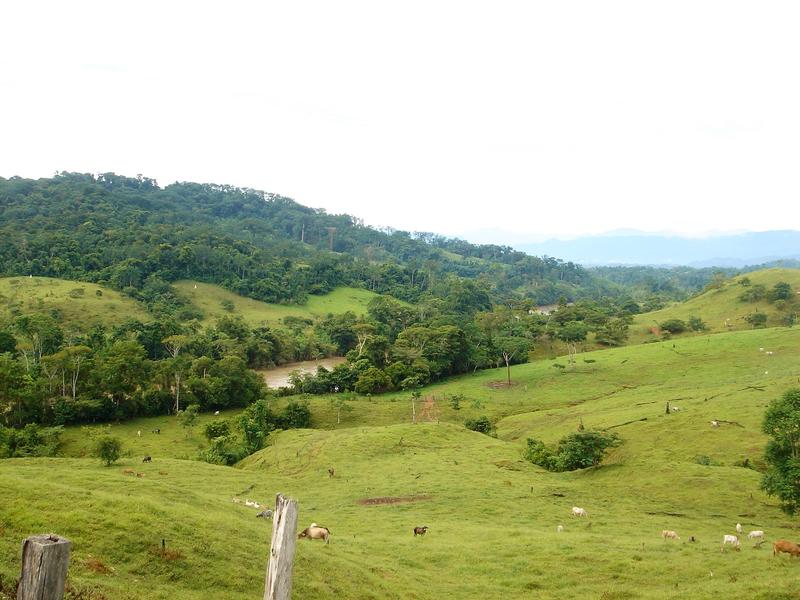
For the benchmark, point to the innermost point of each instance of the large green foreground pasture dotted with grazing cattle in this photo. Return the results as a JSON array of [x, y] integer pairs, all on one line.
[[492, 516]]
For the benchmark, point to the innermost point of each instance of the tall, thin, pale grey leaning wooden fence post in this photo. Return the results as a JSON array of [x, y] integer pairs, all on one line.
[[281, 555]]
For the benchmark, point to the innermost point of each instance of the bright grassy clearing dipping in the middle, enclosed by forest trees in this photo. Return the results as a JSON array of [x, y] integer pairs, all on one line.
[[209, 299]]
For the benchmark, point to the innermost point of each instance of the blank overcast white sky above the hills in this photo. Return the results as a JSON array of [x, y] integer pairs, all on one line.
[[542, 119]]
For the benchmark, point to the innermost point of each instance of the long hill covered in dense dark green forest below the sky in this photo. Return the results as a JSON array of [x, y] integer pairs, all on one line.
[[129, 232]]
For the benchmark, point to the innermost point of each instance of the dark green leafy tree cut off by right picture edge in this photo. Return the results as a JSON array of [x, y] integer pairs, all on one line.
[[782, 455]]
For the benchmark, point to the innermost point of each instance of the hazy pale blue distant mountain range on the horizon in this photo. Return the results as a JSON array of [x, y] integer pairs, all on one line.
[[735, 251]]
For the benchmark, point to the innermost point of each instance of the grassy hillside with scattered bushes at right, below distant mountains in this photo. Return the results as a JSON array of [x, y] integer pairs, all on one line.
[[721, 308]]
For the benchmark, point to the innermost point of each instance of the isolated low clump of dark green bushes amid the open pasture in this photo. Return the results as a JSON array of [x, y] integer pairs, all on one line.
[[575, 451]]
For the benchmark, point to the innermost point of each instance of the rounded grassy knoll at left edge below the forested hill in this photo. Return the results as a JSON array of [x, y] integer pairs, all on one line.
[[77, 303]]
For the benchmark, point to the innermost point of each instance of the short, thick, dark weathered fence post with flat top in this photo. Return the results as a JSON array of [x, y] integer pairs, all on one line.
[[45, 559]]
